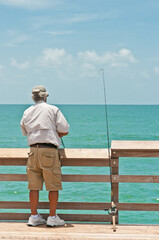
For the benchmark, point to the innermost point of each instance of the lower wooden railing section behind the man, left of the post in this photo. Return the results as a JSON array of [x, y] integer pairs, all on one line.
[[69, 157]]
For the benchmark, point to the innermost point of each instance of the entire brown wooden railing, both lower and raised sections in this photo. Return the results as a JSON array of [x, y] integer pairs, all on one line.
[[89, 158]]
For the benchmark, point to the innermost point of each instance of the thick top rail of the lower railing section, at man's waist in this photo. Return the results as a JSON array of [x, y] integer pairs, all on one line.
[[69, 157]]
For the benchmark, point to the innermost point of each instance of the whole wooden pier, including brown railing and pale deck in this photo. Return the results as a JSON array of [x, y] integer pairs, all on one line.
[[90, 158]]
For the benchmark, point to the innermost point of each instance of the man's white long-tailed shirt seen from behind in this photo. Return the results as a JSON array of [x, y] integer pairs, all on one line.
[[41, 122]]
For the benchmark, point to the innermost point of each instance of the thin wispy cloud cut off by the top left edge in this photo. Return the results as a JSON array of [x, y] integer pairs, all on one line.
[[30, 4]]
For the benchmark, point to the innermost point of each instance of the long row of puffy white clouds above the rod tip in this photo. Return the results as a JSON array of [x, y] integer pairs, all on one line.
[[57, 56]]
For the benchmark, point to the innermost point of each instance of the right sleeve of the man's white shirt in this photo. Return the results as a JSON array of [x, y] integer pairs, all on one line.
[[61, 123]]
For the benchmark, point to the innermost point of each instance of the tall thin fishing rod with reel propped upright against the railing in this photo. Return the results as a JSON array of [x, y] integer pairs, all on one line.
[[113, 210]]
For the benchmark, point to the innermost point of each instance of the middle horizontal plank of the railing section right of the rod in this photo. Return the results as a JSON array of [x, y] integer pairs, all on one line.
[[135, 178]]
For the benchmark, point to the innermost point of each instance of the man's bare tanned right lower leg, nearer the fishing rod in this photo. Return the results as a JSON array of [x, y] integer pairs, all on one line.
[[53, 199]]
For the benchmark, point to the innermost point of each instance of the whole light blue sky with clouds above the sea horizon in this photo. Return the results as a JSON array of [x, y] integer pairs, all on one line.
[[62, 44]]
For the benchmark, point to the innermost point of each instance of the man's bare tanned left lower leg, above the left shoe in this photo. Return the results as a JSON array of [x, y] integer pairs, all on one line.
[[34, 199]]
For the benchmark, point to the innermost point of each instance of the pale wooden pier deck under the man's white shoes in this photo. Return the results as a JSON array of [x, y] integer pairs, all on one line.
[[12, 230]]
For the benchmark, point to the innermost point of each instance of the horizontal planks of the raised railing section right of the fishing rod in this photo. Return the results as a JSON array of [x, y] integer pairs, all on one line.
[[135, 149]]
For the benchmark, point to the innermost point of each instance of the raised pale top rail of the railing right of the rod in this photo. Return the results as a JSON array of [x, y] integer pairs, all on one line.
[[135, 149]]
